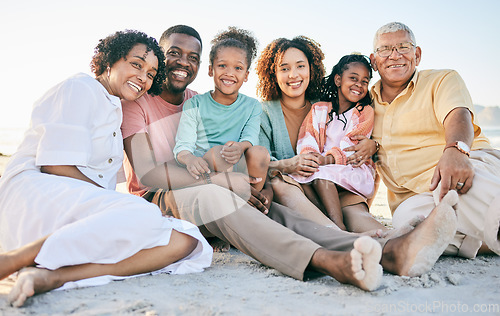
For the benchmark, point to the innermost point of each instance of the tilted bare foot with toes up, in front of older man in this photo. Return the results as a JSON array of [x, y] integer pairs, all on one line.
[[416, 253]]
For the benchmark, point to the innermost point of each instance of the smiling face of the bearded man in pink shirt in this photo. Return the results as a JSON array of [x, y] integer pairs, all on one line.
[[182, 54]]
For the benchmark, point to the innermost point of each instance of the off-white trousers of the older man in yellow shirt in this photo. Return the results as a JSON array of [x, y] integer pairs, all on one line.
[[478, 211]]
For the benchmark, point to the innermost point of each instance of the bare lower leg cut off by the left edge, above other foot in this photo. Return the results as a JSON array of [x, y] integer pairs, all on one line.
[[15, 260]]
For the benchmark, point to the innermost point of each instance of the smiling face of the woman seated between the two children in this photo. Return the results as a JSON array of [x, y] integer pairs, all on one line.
[[293, 74]]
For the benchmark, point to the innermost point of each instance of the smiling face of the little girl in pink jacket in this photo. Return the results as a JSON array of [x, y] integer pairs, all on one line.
[[353, 84]]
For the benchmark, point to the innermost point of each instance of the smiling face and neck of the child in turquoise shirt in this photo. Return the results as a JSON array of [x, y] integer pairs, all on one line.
[[229, 70]]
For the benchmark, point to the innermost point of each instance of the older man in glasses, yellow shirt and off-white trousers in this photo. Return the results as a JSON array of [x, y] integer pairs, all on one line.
[[429, 143]]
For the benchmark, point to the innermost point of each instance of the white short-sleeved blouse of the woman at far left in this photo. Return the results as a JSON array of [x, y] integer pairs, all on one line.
[[77, 123]]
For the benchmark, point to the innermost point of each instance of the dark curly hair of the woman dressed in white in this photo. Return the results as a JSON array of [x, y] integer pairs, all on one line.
[[117, 46]]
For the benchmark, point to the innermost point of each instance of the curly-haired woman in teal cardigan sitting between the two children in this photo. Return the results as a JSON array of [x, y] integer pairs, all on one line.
[[290, 74]]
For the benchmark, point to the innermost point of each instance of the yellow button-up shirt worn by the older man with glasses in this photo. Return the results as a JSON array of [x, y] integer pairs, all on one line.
[[411, 133]]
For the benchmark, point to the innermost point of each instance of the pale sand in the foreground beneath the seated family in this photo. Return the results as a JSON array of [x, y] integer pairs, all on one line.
[[238, 285]]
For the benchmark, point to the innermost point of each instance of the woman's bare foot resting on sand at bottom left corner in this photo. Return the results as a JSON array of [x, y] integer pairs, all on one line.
[[30, 281]]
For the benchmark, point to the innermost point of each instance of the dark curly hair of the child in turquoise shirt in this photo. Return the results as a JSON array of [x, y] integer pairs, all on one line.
[[235, 37]]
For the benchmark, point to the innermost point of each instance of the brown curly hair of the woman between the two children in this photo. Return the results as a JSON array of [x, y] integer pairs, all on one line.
[[267, 65]]
